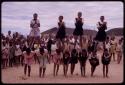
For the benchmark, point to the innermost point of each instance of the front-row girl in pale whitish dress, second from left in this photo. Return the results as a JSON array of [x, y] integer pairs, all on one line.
[[43, 59]]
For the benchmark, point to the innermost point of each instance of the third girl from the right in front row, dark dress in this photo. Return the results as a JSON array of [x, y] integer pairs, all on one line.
[[82, 60]]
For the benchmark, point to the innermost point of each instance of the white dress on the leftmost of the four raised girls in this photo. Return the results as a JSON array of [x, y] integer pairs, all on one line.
[[35, 31]]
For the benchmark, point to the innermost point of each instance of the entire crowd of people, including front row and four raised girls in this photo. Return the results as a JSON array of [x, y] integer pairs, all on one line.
[[62, 49]]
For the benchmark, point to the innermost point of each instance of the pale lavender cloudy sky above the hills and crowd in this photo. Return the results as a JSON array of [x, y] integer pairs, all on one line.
[[16, 16]]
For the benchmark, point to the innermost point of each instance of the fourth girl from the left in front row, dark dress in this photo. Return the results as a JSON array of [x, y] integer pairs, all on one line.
[[66, 57]]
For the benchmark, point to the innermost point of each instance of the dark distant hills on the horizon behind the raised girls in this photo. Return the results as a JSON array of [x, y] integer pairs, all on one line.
[[69, 31]]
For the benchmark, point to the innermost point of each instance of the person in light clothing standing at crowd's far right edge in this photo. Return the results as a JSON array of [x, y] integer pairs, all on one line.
[[119, 51]]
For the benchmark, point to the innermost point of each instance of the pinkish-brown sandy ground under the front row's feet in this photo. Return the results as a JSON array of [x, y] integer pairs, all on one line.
[[12, 75]]
